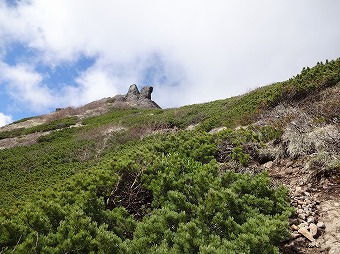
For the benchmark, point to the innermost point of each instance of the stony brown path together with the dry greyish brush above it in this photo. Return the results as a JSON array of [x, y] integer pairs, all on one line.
[[307, 159]]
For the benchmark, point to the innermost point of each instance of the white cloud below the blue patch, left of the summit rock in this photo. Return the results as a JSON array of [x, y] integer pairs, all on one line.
[[27, 87]]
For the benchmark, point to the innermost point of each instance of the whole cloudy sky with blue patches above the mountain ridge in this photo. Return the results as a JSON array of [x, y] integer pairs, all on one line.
[[68, 53]]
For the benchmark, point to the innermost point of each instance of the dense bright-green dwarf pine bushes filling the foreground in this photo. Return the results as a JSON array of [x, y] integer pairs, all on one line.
[[164, 194]]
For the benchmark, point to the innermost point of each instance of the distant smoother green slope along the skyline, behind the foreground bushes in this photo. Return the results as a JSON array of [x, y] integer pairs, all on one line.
[[65, 152]]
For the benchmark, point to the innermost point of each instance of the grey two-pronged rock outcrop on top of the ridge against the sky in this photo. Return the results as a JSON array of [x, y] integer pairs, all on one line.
[[136, 99]]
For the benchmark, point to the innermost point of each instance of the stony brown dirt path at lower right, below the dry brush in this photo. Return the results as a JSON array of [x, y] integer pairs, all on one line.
[[315, 228]]
